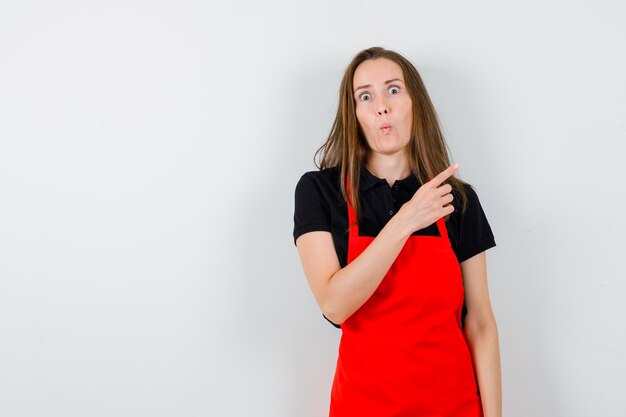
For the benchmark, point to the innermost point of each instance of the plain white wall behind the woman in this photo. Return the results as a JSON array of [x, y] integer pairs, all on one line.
[[149, 152]]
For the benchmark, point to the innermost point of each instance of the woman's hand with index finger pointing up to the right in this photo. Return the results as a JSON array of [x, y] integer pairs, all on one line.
[[428, 203]]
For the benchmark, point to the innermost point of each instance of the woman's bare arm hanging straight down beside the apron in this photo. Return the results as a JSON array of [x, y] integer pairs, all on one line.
[[481, 333]]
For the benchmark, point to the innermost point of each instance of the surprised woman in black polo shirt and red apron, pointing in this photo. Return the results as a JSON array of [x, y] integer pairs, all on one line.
[[393, 248]]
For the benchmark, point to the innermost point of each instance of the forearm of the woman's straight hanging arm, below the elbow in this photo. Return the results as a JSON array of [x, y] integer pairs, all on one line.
[[485, 348]]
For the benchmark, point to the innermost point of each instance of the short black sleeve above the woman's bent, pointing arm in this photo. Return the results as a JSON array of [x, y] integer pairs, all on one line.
[[311, 210]]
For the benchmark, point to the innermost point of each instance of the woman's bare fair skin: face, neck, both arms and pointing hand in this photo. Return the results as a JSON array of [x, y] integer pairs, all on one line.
[[341, 291]]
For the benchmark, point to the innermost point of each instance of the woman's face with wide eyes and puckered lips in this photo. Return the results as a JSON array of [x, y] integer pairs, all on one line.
[[382, 99]]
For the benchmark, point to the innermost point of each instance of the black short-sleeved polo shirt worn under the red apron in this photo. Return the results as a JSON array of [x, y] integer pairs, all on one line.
[[320, 206]]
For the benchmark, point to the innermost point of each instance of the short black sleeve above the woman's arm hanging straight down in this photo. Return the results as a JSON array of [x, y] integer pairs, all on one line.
[[474, 234]]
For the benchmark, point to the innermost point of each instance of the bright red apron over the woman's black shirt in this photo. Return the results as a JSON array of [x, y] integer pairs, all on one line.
[[403, 353]]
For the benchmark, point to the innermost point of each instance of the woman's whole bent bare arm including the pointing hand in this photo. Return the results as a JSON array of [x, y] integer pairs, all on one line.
[[341, 291]]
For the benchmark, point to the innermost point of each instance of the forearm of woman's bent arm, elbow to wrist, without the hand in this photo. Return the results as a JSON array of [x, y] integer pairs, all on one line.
[[350, 287]]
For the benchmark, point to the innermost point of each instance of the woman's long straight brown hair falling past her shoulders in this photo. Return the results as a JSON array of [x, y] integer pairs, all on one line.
[[347, 148]]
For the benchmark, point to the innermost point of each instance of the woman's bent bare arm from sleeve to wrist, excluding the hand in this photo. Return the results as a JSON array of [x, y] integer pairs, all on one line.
[[341, 291]]
